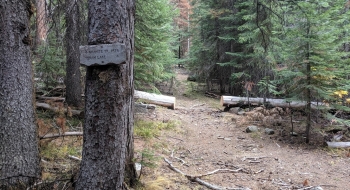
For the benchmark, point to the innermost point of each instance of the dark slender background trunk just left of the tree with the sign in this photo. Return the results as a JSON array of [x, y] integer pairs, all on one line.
[[72, 82]]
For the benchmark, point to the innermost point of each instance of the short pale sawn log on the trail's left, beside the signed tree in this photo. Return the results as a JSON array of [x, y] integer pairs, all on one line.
[[157, 99]]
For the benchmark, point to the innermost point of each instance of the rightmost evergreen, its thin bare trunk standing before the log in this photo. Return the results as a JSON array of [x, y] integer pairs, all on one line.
[[315, 61]]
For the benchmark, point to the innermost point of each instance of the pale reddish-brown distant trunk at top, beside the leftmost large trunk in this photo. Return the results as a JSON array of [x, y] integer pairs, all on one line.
[[41, 23]]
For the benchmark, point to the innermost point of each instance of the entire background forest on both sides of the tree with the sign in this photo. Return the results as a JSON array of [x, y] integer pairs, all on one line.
[[297, 50]]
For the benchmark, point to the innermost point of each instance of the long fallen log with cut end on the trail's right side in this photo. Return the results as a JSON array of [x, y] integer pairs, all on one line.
[[235, 101]]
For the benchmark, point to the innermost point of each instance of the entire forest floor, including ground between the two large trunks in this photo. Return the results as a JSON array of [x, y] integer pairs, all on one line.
[[179, 149]]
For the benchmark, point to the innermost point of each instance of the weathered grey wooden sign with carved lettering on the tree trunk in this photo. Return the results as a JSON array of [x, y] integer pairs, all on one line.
[[102, 54]]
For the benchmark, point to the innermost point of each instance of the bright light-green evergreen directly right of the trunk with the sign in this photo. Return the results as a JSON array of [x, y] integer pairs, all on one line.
[[153, 43]]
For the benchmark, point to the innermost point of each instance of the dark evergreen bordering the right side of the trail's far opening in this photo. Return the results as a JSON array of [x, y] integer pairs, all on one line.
[[208, 48]]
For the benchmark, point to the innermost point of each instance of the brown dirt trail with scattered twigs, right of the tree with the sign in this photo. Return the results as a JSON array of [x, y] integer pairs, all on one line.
[[206, 139]]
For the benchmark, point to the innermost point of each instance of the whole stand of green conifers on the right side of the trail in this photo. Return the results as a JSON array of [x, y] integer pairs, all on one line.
[[292, 49]]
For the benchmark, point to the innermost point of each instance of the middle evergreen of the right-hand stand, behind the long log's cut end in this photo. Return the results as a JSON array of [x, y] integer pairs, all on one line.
[[253, 60]]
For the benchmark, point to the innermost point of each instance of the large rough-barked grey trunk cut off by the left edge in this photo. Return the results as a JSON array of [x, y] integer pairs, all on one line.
[[19, 154]]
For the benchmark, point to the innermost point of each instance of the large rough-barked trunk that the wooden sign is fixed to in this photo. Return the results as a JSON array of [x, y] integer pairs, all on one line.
[[108, 127]]
